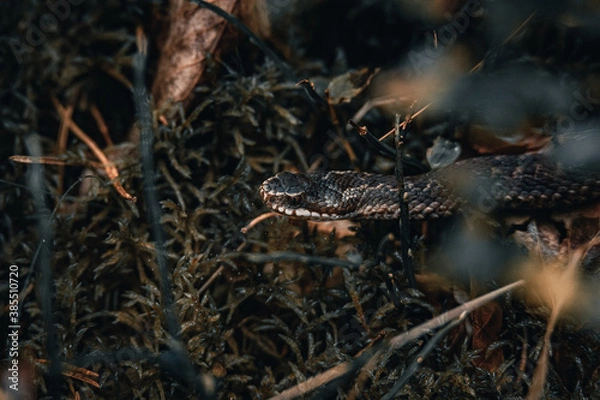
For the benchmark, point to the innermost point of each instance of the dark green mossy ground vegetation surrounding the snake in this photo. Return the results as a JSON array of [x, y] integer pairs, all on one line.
[[259, 328]]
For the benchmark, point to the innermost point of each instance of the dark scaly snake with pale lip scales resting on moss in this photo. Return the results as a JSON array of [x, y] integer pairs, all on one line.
[[522, 182]]
